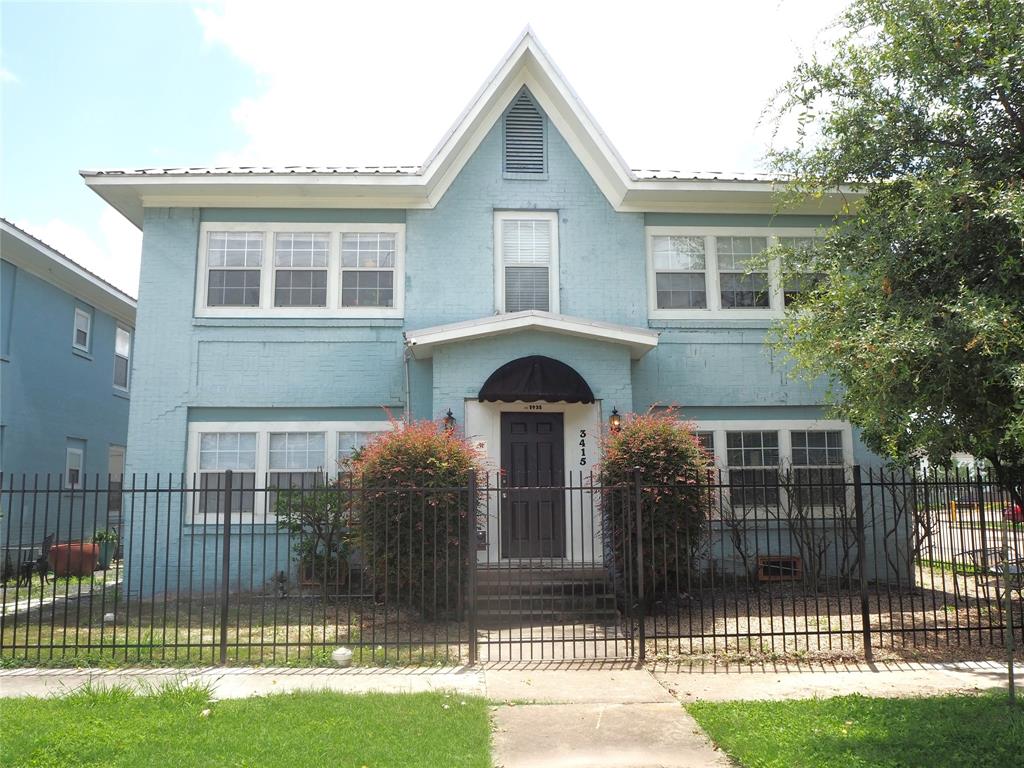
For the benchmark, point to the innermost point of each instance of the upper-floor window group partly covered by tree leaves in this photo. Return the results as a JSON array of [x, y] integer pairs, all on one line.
[[712, 272]]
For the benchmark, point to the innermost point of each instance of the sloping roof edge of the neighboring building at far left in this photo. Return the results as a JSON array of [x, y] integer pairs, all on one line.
[[28, 252]]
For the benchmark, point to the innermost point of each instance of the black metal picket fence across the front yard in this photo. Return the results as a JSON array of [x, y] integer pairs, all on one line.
[[221, 569]]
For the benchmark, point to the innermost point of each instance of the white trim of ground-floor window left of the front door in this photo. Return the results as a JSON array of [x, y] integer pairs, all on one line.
[[263, 430]]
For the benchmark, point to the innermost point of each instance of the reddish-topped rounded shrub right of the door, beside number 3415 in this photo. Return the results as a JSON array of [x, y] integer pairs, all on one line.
[[675, 497]]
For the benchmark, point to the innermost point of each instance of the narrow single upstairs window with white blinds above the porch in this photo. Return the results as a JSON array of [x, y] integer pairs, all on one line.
[[527, 255]]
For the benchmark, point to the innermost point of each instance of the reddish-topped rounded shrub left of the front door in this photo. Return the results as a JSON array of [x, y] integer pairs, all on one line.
[[411, 515]]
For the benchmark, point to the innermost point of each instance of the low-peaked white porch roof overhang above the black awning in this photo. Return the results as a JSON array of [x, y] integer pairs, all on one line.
[[422, 344]]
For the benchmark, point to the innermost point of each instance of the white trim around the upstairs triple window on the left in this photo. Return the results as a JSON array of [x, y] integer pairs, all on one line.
[[333, 309]]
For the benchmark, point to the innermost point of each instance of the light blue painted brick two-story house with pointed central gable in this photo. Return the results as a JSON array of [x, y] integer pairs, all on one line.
[[286, 312]]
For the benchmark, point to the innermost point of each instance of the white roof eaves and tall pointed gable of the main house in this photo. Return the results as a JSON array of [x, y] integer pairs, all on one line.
[[528, 65]]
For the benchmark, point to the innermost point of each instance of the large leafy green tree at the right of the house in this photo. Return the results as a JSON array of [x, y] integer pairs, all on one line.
[[919, 316]]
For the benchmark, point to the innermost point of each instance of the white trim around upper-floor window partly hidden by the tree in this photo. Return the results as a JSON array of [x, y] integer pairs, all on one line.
[[712, 285]]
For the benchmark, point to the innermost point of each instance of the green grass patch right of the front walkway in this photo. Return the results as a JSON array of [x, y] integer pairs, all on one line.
[[858, 732]]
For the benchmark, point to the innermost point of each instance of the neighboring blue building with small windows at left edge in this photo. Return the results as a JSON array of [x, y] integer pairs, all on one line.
[[66, 377]]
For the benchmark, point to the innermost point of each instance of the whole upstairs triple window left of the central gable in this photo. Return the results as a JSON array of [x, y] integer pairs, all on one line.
[[298, 271]]
